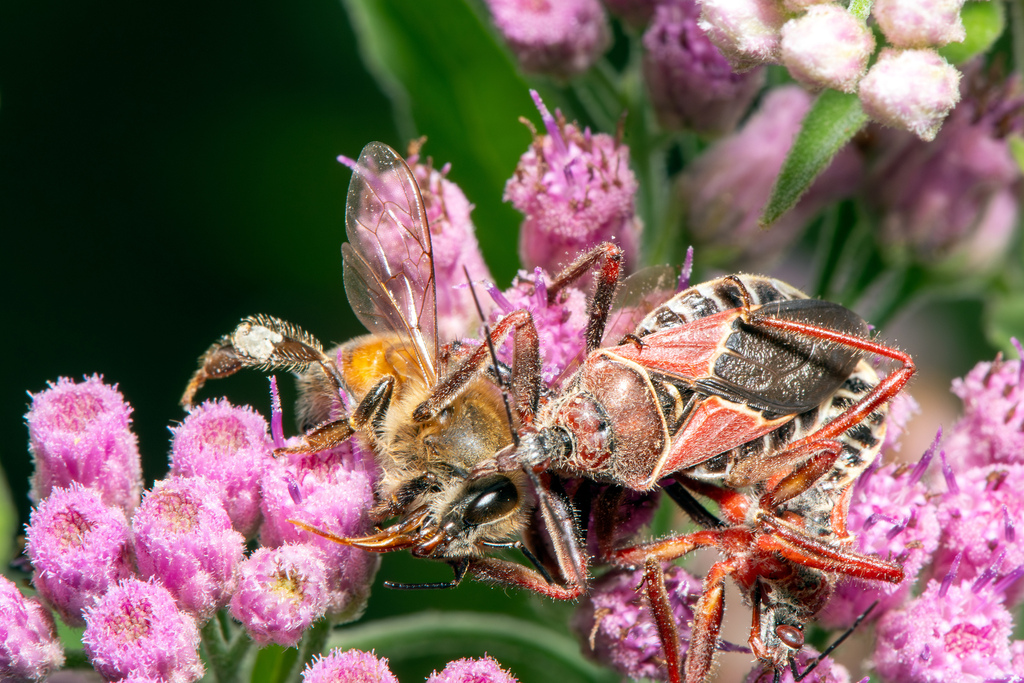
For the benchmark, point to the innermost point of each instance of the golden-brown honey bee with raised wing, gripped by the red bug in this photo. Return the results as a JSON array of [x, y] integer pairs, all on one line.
[[371, 389]]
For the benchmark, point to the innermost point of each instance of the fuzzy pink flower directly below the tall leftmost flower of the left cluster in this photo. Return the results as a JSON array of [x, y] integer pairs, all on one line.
[[79, 549]]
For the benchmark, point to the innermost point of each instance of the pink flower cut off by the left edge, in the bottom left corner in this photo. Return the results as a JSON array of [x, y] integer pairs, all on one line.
[[29, 647]]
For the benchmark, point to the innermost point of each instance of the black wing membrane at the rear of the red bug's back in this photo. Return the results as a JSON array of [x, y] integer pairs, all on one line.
[[781, 372]]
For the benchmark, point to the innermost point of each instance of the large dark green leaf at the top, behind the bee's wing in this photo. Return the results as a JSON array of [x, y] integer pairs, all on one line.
[[450, 80]]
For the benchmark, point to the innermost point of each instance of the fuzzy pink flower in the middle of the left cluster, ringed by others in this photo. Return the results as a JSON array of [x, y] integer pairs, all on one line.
[[184, 539]]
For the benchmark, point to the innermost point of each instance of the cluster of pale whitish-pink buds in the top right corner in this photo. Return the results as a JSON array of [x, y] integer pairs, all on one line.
[[825, 46]]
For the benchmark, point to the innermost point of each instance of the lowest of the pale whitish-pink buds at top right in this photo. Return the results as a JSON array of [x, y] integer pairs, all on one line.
[[911, 90]]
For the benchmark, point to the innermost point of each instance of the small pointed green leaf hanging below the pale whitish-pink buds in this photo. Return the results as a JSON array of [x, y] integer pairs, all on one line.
[[834, 119]]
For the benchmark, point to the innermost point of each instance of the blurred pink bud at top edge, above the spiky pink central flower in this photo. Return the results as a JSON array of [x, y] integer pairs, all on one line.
[[561, 38]]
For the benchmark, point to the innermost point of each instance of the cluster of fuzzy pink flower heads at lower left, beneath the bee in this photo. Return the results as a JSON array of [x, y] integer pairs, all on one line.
[[145, 578]]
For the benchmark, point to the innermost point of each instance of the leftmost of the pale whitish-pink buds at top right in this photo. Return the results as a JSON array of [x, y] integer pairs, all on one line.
[[746, 31]]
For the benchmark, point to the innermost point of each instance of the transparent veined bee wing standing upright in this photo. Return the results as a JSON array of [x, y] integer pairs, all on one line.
[[390, 271]]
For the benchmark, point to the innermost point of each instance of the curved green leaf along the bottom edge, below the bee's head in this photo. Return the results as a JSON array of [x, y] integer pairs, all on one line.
[[425, 642]]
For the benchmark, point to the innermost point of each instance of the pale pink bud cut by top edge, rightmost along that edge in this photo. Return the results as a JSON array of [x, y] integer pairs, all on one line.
[[920, 23]]
